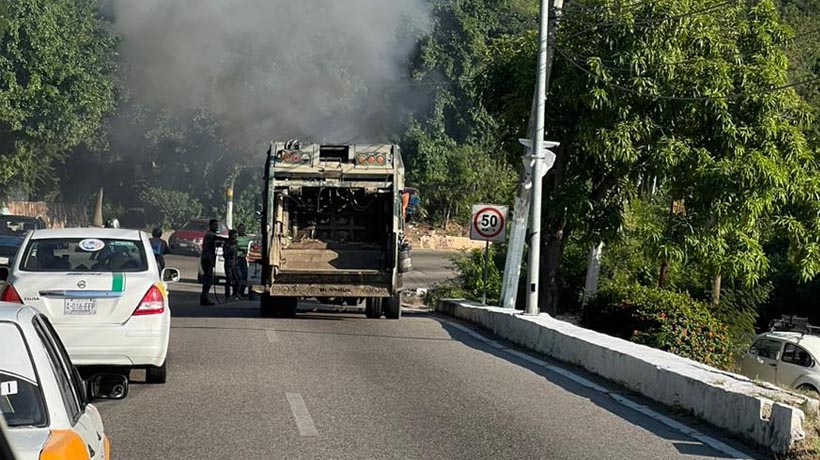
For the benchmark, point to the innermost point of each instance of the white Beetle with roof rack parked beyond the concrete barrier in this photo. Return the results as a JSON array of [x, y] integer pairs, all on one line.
[[788, 359]]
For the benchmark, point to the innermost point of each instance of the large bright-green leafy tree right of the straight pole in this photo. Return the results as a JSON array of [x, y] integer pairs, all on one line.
[[682, 90]]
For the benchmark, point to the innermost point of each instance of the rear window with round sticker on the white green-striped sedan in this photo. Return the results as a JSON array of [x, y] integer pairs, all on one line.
[[84, 255]]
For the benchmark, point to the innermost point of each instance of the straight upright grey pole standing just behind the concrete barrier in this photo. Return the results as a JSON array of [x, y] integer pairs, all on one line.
[[539, 156]]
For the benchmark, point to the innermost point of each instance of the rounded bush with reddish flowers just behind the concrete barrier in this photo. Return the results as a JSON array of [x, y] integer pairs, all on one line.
[[661, 319]]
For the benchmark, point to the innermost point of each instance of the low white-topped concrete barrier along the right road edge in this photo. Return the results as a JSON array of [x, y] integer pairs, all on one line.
[[765, 415]]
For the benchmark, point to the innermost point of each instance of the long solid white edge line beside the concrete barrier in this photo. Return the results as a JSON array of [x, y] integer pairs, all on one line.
[[626, 402]]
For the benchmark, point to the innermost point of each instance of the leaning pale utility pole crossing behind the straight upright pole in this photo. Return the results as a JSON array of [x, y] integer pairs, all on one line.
[[521, 209]]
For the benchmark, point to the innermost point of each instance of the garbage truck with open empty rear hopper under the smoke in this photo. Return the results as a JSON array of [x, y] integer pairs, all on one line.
[[332, 228]]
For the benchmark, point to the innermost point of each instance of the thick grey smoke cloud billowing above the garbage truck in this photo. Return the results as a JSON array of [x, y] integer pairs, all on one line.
[[323, 70]]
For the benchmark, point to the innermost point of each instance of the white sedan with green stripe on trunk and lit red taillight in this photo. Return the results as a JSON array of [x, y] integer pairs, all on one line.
[[103, 291]]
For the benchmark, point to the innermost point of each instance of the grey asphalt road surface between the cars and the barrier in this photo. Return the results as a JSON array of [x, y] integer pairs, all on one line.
[[339, 386]]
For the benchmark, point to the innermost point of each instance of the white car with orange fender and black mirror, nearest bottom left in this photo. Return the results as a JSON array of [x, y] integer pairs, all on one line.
[[43, 400]]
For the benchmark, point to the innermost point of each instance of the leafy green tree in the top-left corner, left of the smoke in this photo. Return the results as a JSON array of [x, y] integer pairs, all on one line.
[[56, 86]]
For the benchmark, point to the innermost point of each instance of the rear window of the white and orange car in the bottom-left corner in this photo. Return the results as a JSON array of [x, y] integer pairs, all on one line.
[[21, 400]]
